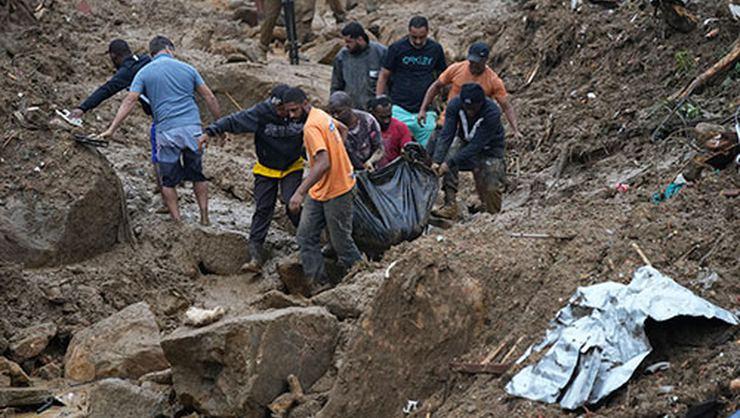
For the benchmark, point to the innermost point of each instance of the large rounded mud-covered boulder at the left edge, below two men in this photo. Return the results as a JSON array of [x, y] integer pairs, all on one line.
[[61, 203]]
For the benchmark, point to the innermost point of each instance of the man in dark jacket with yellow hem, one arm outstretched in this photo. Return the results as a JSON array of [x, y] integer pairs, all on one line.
[[279, 145]]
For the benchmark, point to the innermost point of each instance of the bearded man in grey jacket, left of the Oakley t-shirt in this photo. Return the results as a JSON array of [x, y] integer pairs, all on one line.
[[357, 66]]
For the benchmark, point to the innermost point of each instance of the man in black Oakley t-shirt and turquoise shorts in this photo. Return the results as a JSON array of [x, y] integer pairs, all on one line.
[[410, 67]]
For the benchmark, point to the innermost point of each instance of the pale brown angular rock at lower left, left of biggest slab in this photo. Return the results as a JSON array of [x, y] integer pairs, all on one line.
[[126, 344]]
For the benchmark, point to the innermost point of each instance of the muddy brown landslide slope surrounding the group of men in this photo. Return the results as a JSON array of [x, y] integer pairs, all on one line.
[[589, 88]]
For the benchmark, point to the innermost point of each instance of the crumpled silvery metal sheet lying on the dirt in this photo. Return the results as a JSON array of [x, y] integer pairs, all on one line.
[[597, 341]]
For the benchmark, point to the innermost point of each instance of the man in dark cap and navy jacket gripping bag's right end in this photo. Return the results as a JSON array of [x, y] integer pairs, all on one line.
[[472, 138]]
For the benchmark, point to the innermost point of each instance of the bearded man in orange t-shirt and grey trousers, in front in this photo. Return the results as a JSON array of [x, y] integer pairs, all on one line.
[[326, 193]]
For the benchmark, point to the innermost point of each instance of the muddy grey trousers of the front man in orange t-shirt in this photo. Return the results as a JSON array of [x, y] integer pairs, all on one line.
[[336, 215]]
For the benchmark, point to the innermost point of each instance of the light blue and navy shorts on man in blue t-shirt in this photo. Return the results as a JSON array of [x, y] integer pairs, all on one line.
[[177, 159]]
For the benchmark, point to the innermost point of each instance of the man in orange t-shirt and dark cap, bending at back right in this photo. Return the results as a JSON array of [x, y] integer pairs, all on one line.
[[474, 70]]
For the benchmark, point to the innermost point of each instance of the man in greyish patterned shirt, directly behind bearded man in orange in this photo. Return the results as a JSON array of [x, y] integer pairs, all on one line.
[[364, 142]]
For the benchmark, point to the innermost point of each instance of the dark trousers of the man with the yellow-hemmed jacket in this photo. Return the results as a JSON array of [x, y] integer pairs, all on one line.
[[265, 197]]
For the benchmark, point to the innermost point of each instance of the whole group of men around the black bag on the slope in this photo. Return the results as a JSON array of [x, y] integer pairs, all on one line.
[[380, 101]]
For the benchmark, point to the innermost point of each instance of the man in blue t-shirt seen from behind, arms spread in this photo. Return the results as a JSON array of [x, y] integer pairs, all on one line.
[[170, 86]]
